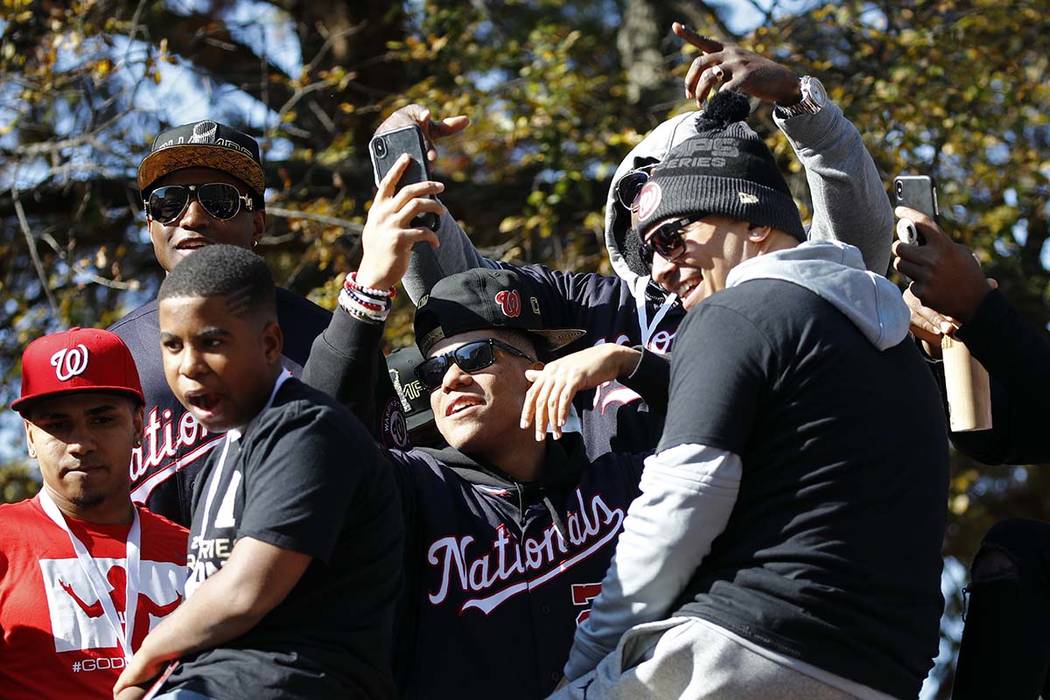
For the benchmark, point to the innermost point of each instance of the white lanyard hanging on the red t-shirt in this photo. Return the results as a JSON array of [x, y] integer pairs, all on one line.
[[124, 633]]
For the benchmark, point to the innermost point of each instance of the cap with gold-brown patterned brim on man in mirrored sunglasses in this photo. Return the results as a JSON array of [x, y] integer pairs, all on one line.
[[204, 145]]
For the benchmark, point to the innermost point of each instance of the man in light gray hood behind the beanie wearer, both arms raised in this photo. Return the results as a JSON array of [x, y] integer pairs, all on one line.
[[849, 204]]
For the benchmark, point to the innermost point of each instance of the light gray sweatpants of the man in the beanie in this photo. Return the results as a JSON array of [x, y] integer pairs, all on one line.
[[684, 657]]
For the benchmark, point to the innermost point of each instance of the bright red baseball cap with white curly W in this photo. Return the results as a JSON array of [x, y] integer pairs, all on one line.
[[77, 360]]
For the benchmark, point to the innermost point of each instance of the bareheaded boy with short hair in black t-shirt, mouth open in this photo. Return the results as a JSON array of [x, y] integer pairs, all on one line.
[[296, 551]]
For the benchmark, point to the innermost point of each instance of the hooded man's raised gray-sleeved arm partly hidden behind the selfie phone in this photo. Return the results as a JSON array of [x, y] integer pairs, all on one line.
[[457, 253]]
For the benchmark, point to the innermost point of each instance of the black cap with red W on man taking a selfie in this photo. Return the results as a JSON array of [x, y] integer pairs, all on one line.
[[480, 300]]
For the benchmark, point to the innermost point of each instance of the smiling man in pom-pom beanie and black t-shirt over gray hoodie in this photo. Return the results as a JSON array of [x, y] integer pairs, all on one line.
[[788, 539]]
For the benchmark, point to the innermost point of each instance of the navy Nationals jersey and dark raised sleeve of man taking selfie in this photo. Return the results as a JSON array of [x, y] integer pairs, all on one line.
[[499, 574]]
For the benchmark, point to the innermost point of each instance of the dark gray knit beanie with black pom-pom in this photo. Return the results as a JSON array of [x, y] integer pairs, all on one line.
[[726, 169]]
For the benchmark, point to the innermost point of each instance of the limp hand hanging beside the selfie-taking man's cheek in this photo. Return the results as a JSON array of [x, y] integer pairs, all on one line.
[[554, 388]]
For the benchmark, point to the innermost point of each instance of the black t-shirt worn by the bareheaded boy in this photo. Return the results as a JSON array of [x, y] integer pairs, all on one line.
[[288, 481]]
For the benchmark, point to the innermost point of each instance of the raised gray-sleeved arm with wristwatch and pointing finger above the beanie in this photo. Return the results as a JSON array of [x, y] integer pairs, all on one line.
[[849, 201]]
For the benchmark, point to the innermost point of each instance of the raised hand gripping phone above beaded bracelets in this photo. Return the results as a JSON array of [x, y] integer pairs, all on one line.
[[389, 235]]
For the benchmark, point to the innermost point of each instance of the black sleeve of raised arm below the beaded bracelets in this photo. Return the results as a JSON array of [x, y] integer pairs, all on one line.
[[346, 363]]
